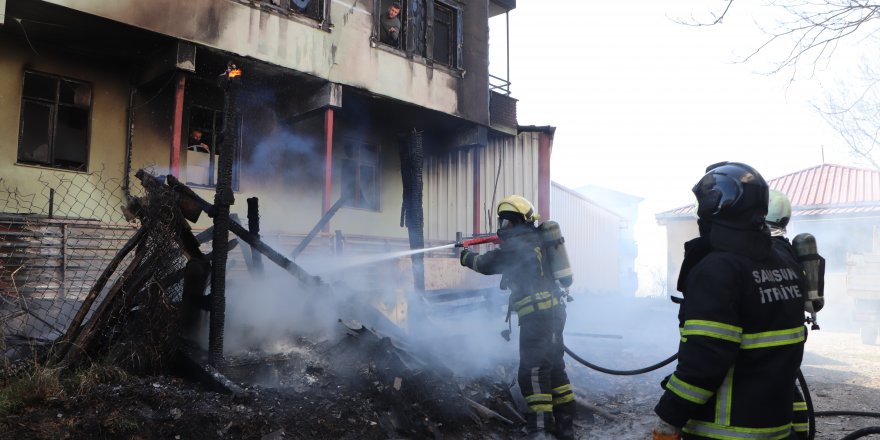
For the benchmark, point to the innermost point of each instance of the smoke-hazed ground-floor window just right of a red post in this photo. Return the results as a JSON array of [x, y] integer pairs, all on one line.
[[359, 172]]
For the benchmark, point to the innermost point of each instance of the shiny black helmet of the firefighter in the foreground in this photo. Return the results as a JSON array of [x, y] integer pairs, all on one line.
[[732, 193]]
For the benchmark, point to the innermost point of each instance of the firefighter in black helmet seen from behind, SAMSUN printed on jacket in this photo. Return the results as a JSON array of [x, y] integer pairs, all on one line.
[[741, 319]]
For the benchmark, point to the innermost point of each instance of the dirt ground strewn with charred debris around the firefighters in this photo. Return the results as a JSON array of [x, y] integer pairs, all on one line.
[[303, 396]]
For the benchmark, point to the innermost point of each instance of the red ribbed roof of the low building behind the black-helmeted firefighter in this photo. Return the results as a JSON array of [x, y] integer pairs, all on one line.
[[821, 190]]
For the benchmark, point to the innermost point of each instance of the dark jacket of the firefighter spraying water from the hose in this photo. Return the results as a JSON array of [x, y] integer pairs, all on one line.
[[525, 271]]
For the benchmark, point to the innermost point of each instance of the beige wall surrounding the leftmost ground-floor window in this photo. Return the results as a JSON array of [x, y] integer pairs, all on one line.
[[107, 137]]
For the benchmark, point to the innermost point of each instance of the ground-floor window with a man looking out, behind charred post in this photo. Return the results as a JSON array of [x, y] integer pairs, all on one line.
[[203, 147]]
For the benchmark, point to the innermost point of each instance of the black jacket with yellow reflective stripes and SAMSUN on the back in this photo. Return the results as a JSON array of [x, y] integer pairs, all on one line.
[[742, 341]]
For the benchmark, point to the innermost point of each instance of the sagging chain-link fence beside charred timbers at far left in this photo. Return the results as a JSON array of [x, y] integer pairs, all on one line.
[[77, 259]]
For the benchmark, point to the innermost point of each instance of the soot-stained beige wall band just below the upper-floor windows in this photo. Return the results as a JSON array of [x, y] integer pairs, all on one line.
[[342, 55]]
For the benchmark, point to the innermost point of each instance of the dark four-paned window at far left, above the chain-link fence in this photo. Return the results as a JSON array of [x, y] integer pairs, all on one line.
[[55, 122]]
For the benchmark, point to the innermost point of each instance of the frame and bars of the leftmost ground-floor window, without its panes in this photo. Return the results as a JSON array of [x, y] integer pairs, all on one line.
[[55, 105]]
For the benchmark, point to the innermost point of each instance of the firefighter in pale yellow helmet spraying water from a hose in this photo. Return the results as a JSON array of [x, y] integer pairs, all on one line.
[[537, 300]]
